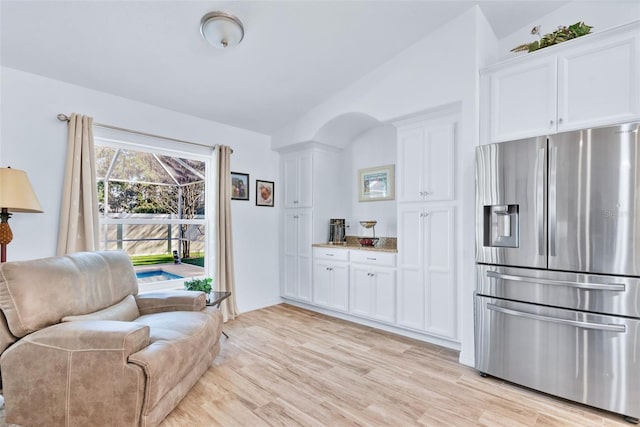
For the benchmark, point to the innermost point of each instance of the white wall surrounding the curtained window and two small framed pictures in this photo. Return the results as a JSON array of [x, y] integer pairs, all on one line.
[[31, 138]]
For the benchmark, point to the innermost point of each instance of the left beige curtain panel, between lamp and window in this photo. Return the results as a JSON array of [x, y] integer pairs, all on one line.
[[78, 229]]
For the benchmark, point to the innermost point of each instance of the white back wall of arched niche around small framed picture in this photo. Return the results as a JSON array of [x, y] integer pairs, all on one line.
[[376, 147]]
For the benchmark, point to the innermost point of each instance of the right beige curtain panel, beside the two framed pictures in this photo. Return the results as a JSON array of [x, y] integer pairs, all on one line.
[[225, 277]]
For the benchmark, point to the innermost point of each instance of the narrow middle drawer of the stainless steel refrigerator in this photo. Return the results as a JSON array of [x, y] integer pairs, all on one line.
[[586, 292]]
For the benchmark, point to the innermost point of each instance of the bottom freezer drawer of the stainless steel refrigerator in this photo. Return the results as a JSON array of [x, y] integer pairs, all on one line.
[[588, 358]]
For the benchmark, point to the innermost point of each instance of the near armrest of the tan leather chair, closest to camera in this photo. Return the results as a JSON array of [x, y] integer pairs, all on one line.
[[75, 373]]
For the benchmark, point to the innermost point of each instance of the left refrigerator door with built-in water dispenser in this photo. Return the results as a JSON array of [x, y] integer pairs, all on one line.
[[511, 179]]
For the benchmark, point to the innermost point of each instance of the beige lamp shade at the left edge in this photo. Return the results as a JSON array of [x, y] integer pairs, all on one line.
[[16, 192]]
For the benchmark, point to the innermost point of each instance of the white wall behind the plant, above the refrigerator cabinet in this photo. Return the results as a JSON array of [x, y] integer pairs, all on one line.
[[601, 15]]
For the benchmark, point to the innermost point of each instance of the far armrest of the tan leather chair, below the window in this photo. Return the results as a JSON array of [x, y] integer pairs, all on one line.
[[161, 301]]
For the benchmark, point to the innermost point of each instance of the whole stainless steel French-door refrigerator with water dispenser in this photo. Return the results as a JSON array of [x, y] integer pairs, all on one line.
[[557, 303]]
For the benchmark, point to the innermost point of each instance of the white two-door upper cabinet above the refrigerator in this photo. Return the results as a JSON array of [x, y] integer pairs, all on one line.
[[586, 82]]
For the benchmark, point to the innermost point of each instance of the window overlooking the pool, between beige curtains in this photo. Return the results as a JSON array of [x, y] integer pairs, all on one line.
[[153, 204]]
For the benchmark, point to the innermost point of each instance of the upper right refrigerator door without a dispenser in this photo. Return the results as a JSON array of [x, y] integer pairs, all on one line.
[[594, 201]]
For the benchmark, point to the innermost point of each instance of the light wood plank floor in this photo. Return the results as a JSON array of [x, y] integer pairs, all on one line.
[[284, 366]]
